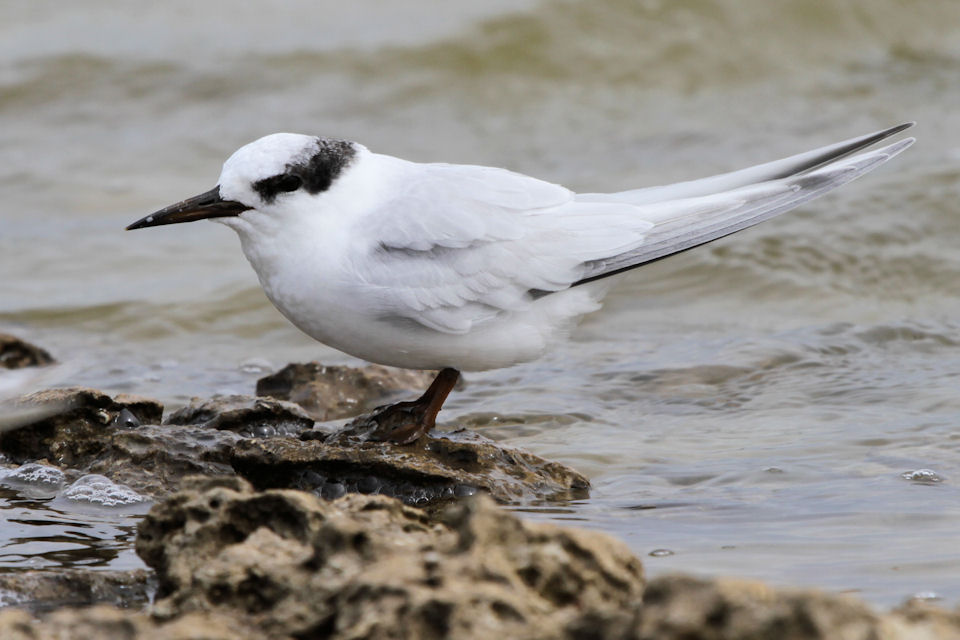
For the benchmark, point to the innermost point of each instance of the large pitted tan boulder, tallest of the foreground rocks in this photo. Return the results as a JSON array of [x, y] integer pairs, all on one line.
[[369, 567]]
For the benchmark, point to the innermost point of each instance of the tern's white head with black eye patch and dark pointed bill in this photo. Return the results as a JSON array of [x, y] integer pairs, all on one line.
[[269, 176]]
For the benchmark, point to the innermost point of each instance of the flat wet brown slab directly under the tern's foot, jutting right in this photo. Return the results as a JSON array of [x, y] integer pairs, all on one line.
[[439, 467]]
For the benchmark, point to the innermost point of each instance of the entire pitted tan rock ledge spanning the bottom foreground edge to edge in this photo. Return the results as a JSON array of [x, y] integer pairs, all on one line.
[[232, 562]]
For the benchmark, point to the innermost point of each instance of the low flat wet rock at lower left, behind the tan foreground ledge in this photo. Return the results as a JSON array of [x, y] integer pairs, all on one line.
[[43, 591]]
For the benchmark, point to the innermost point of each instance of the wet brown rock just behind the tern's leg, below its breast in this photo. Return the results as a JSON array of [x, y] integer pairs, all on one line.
[[333, 392]]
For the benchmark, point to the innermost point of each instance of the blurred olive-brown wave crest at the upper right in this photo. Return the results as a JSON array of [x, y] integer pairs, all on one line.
[[690, 43]]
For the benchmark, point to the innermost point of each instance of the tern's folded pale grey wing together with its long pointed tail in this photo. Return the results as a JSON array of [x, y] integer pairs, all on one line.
[[460, 245]]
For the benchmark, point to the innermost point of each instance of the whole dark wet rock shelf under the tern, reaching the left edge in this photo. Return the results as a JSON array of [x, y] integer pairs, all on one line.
[[273, 444]]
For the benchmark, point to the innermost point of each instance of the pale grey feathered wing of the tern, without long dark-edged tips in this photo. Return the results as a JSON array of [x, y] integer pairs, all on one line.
[[462, 244]]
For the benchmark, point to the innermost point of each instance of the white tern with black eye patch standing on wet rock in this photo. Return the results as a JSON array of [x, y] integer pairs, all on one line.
[[461, 267]]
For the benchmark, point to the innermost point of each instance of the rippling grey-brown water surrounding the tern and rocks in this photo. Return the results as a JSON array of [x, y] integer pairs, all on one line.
[[759, 407]]
